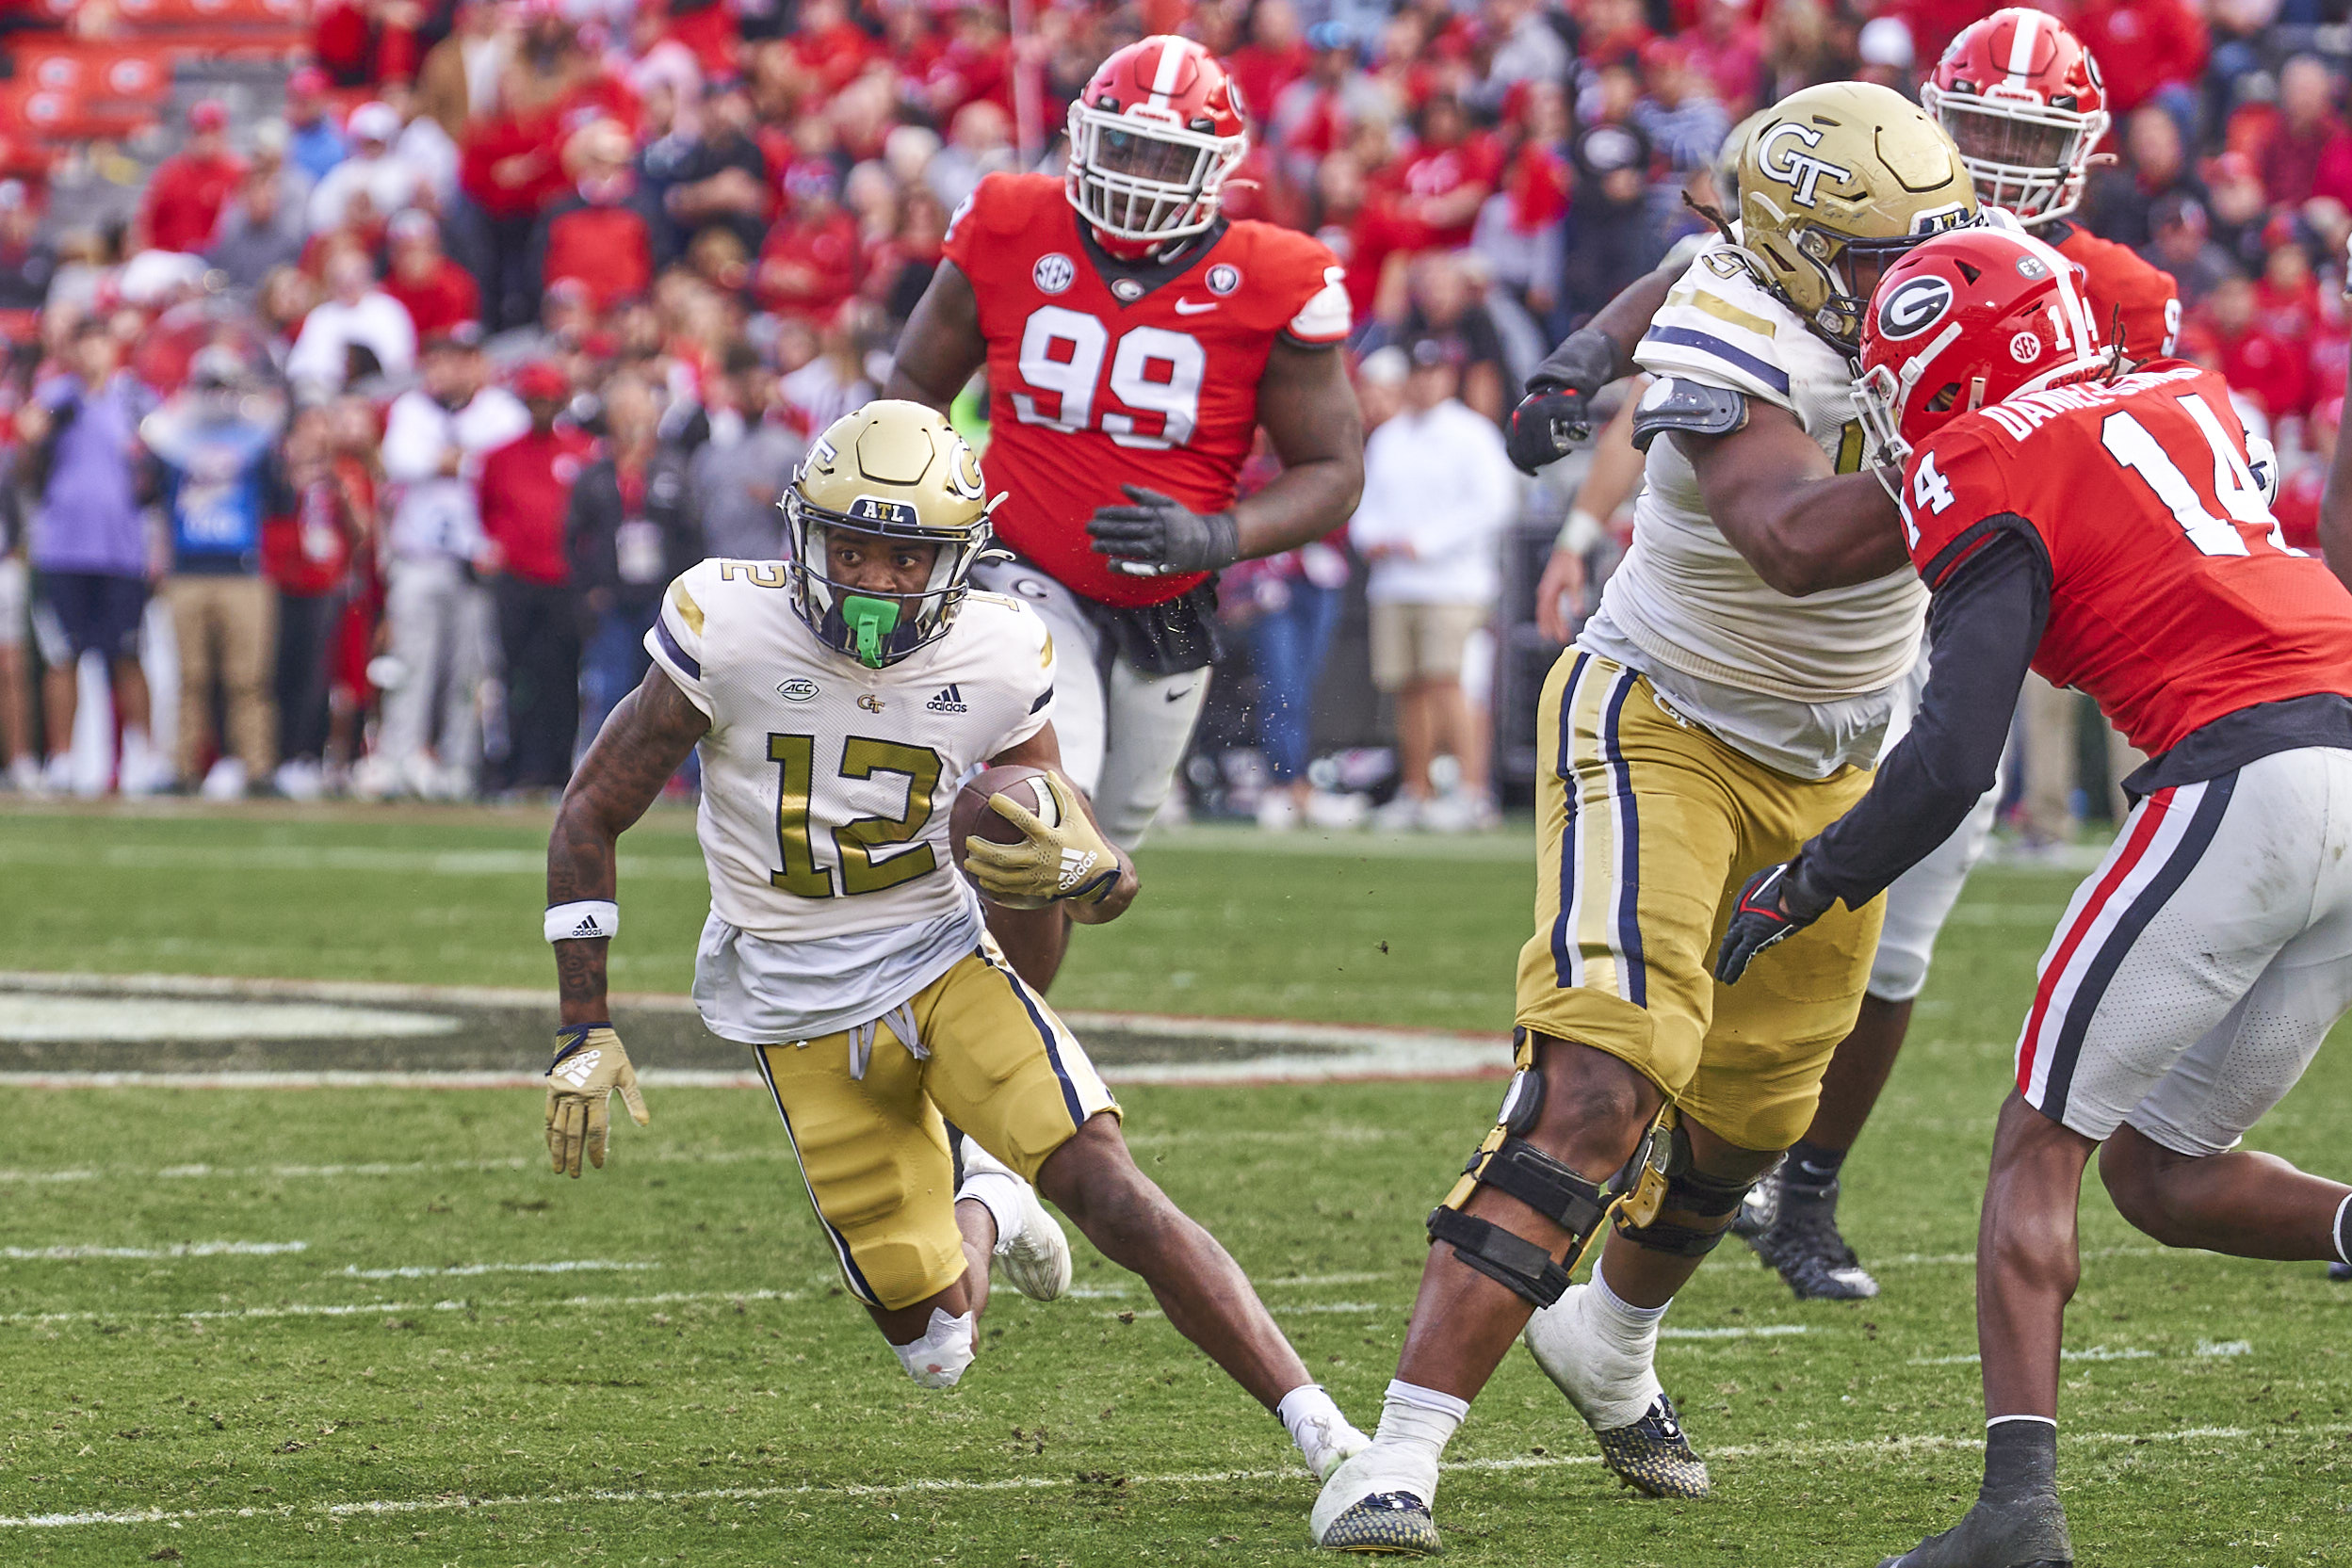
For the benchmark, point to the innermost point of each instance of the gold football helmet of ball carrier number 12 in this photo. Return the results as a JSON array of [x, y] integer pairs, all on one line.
[[895, 471]]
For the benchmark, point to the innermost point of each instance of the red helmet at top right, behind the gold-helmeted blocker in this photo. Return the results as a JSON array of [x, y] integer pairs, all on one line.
[[2024, 105]]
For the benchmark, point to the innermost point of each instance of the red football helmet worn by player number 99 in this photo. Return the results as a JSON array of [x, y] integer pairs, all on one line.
[[1151, 142]]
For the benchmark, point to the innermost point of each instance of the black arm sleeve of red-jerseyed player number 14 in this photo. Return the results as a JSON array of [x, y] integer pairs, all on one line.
[[1984, 631]]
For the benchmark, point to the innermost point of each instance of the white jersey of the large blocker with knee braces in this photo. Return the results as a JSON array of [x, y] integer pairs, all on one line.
[[1688, 605]]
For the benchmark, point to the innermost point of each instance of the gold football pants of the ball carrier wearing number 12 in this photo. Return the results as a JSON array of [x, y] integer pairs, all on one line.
[[869, 1123]]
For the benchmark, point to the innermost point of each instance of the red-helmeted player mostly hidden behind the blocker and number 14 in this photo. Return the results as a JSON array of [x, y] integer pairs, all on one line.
[[2024, 105]]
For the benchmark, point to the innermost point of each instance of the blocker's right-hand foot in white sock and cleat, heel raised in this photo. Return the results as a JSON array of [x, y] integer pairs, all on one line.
[[1619, 1395]]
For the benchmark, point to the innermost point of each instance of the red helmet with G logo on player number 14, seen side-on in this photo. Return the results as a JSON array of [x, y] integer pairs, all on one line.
[[1970, 319]]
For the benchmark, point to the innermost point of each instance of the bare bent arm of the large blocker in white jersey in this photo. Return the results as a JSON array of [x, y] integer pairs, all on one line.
[[1789, 514]]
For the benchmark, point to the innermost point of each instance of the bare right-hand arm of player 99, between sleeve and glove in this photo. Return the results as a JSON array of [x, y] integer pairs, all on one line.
[[1318, 431]]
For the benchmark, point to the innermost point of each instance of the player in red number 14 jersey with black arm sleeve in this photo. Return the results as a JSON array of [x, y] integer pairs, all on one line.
[[2109, 532]]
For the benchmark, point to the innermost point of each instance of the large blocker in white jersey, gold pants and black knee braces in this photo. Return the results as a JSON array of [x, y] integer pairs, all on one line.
[[1730, 695]]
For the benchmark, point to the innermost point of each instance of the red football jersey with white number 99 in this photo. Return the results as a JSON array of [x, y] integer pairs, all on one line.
[[1090, 389]]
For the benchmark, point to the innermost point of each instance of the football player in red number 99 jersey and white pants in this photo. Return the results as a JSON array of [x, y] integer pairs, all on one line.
[[1135, 342]]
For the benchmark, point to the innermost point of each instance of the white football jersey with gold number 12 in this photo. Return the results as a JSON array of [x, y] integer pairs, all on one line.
[[827, 786]]
